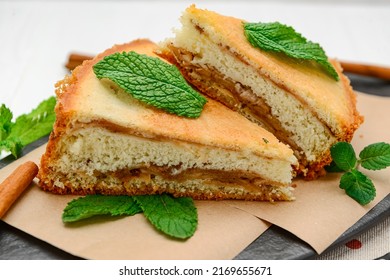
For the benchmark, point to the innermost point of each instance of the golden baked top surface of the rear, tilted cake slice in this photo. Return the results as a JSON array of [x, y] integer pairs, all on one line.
[[333, 101]]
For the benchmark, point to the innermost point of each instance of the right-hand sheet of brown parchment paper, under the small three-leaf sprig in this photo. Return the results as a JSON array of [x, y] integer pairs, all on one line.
[[322, 211]]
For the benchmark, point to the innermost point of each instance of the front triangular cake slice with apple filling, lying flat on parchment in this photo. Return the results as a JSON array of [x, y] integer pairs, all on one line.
[[107, 142]]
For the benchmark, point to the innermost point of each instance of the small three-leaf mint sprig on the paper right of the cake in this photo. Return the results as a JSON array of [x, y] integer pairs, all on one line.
[[356, 184]]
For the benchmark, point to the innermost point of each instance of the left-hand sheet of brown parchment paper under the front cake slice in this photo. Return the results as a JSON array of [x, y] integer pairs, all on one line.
[[223, 231]]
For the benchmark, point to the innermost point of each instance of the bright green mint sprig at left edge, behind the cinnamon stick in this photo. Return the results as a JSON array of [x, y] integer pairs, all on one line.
[[27, 128]]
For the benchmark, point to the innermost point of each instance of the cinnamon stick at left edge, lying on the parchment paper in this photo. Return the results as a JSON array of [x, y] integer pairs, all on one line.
[[14, 185]]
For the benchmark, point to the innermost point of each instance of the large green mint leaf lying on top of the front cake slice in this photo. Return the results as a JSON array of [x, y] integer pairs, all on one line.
[[152, 81]]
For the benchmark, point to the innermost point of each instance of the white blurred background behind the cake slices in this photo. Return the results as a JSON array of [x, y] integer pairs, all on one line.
[[37, 36]]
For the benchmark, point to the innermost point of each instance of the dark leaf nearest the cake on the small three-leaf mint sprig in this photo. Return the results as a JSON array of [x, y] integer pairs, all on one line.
[[343, 156]]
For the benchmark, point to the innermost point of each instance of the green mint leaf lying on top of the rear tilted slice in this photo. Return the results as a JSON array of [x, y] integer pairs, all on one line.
[[277, 37]]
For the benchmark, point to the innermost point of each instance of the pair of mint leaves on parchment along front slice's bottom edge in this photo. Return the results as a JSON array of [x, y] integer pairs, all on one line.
[[175, 217]]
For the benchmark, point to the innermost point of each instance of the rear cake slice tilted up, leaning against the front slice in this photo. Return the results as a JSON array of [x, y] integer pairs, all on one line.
[[303, 107]]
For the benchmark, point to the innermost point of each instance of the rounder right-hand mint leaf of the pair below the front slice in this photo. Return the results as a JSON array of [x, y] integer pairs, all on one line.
[[176, 217]]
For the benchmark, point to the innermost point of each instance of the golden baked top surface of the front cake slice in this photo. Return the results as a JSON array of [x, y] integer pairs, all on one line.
[[83, 99]]
